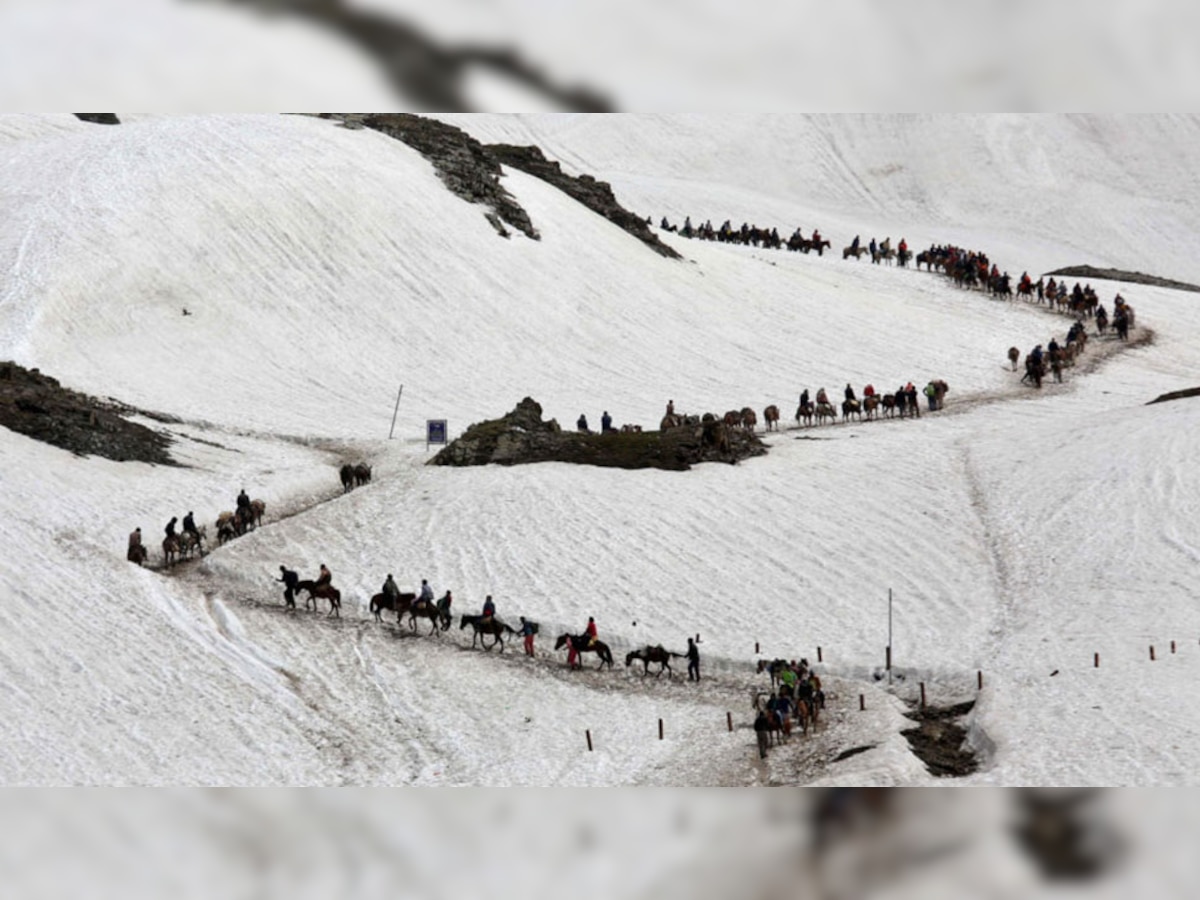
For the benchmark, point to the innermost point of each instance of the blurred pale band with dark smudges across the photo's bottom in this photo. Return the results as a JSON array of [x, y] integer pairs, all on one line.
[[829, 843]]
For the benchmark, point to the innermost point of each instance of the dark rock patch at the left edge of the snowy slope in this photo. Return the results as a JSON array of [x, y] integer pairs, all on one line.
[[39, 407]]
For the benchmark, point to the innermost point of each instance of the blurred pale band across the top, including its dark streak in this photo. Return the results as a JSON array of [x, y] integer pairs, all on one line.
[[515, 56]]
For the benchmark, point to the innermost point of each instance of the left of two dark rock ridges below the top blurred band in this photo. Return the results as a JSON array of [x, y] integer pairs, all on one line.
[[463, 164]]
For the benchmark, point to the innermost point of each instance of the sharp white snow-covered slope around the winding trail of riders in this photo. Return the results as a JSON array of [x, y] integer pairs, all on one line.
[[323, 268]]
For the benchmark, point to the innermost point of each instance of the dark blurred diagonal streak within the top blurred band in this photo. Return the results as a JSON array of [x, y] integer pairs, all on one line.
[[421, 70]]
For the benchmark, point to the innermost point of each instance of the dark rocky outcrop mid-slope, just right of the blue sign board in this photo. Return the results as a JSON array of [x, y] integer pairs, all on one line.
[[523, 437]]
